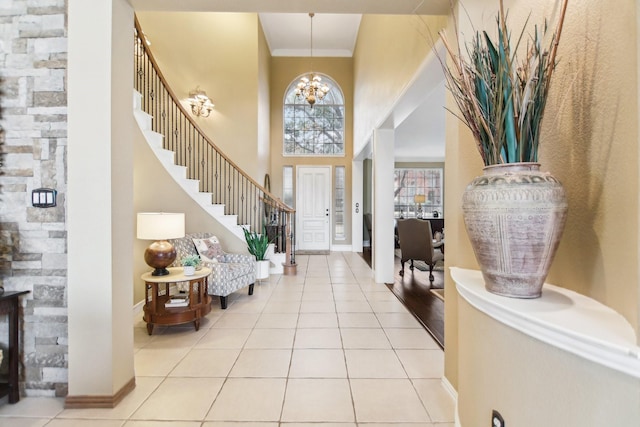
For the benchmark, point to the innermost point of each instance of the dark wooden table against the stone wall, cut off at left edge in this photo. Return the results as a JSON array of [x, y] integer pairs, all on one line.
[[9, 305]]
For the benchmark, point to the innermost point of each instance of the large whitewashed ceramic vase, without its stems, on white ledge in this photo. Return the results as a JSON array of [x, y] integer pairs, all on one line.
[[514, 215]]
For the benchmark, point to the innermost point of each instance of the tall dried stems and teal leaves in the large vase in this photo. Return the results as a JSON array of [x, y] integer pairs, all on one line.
[[502, 98]]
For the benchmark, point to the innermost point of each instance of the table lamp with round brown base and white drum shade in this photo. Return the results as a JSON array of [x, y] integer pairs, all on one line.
[[160, 226]]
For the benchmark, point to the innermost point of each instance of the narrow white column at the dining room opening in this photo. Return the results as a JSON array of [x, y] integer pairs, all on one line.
[[383, 243]]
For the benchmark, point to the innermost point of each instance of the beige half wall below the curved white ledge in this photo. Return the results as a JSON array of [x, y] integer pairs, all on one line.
[[532, 384]]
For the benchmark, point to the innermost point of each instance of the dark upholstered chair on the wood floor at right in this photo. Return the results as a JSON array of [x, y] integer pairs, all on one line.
[[416, 244]]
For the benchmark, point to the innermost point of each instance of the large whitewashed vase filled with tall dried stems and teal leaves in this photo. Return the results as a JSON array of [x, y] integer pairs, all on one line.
[[514, 213]]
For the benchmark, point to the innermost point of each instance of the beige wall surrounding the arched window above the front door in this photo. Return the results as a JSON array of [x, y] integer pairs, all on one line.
[[285, 70]]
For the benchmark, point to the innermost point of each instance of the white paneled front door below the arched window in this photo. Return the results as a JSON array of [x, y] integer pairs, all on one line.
[[313, 208]]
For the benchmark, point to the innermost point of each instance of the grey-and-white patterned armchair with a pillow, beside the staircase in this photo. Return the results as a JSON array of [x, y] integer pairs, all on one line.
[[229, 272]]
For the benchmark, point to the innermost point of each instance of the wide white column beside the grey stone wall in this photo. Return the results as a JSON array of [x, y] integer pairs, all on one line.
[[100, 197]]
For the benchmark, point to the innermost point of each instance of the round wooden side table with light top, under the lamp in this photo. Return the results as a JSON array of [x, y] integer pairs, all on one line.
[[155, 312]]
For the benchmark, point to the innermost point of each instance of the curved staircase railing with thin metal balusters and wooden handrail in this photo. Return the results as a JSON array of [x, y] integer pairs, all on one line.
[[229, 185]]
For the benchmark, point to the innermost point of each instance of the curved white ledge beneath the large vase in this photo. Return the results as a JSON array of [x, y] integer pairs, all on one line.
[[561, 318]]
